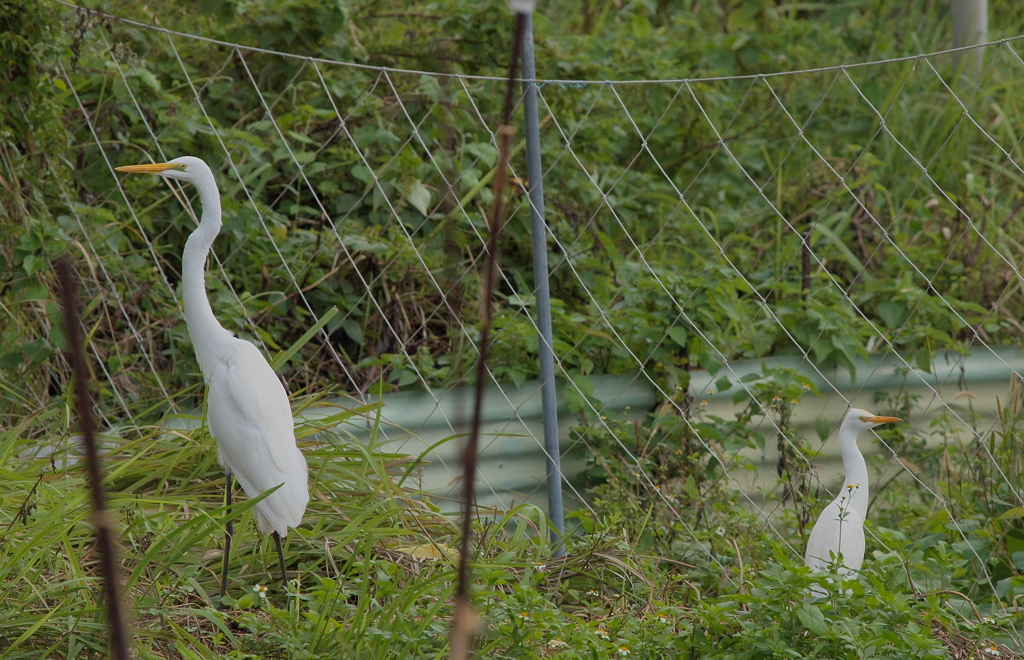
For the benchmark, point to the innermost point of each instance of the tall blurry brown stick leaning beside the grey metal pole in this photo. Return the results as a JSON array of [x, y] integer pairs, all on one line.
[[464, 621]]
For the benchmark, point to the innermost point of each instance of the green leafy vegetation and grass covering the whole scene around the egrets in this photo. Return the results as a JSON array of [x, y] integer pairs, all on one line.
[[383, 223]]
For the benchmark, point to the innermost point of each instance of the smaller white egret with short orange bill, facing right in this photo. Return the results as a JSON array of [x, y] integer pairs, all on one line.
[[840, 531]]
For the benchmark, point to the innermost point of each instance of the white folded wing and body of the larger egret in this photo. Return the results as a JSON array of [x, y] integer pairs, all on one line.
[[251, 419]]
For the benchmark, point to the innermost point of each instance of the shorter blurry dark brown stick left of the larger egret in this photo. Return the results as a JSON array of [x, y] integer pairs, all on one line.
[[83, 402]]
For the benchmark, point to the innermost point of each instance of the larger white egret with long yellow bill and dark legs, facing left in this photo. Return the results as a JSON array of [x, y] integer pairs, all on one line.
[[247, 407]]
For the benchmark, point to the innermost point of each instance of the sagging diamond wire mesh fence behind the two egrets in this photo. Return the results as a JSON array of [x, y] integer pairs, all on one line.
[[735, 262]]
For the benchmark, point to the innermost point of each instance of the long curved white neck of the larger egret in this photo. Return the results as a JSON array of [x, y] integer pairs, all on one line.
[[204, 330]]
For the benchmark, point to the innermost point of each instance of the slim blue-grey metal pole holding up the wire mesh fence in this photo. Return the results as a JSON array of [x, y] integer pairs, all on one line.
[[536, 175]]
